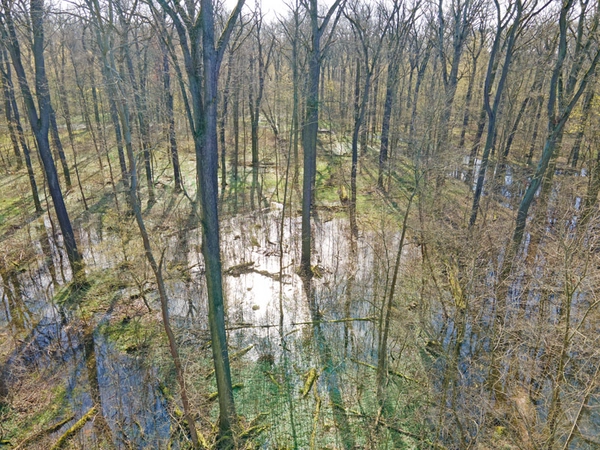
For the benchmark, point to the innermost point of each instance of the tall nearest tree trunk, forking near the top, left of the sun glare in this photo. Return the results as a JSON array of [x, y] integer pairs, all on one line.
[[194, 27]]
